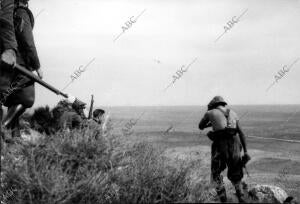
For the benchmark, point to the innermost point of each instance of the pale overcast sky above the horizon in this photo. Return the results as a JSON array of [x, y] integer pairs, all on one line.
[[138, 66]]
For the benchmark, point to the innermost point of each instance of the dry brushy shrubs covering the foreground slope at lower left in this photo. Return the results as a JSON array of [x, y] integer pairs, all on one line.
[[88, 166]]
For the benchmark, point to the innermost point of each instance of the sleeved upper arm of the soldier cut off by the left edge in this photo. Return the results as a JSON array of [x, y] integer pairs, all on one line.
[[7, 31]]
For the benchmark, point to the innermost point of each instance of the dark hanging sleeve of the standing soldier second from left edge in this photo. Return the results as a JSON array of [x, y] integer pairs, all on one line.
[[25, 38]]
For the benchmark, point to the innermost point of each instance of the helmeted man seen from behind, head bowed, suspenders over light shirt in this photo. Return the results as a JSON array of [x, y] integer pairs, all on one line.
[[228, 139]]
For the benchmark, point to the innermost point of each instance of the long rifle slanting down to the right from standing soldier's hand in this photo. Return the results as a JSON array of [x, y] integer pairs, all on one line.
[[35, 78]]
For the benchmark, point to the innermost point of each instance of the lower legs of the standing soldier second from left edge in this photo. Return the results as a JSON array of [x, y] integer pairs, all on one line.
[[13, 114]]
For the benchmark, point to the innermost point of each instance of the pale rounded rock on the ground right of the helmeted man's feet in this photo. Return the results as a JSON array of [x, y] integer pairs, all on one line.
[[268, 194]]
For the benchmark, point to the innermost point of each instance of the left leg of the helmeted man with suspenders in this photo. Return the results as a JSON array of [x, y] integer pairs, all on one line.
[[217, 166]]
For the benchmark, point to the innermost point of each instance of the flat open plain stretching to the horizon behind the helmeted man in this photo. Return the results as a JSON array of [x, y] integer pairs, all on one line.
[[273, 136]]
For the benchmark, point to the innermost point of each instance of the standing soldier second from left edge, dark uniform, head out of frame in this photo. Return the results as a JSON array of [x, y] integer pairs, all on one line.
[[23, 94]]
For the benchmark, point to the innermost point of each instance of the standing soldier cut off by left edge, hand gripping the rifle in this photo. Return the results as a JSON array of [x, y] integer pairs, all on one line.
[[8, 46]]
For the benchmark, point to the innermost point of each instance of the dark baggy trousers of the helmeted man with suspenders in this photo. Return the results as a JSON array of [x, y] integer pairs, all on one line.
[[226, 152]]
